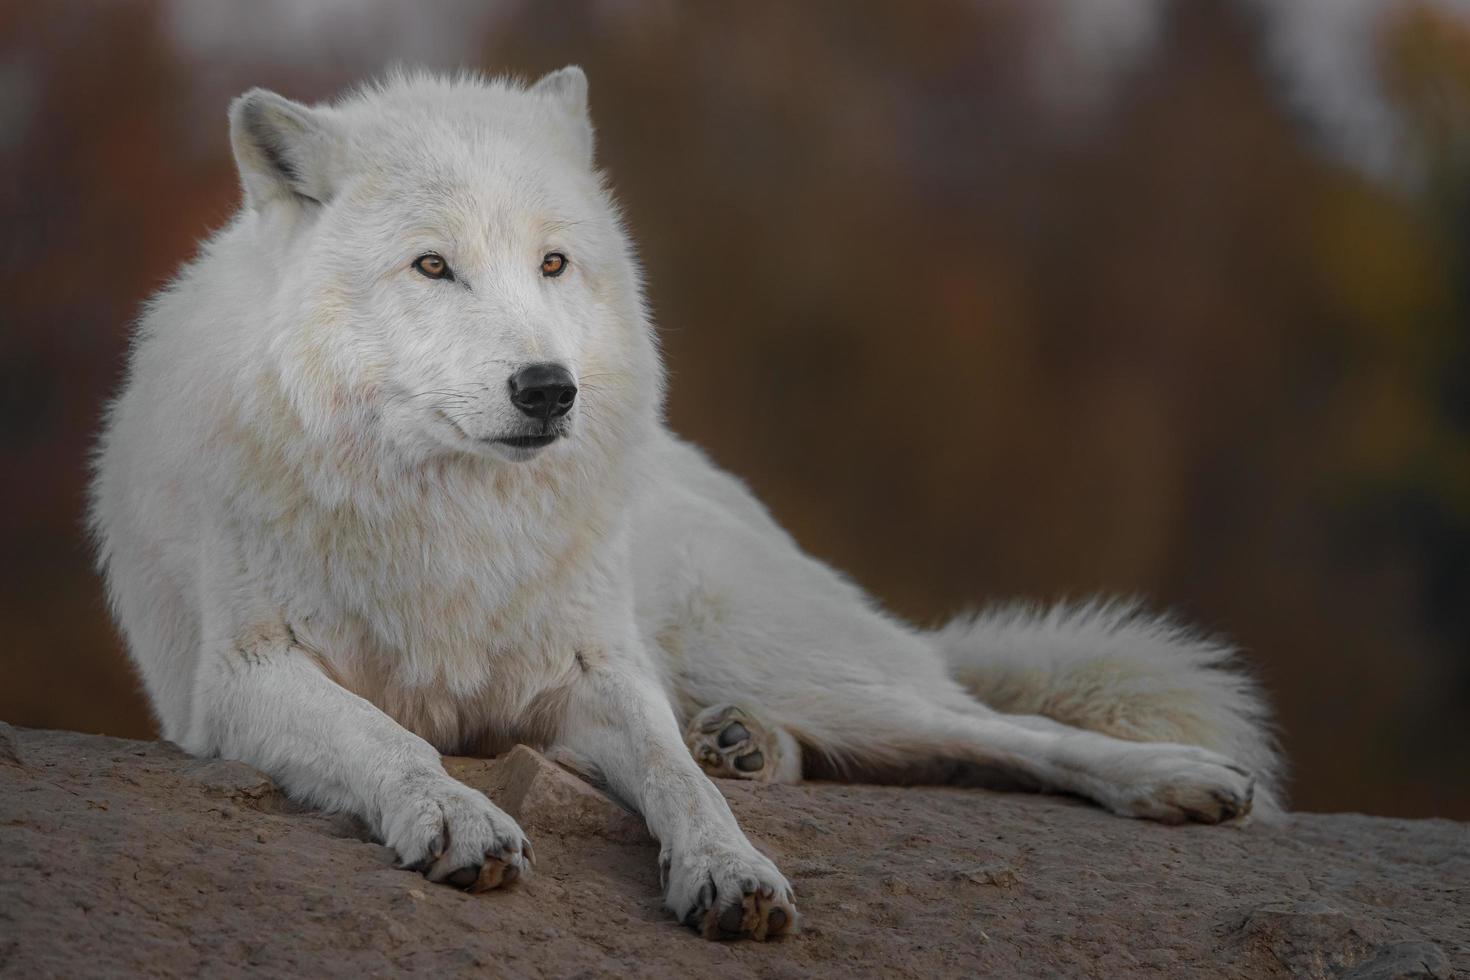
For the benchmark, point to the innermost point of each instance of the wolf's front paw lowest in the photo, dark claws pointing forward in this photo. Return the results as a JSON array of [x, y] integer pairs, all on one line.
[[728, 893]]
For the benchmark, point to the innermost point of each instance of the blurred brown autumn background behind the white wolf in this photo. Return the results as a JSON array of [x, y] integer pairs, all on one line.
[[1191, 278]]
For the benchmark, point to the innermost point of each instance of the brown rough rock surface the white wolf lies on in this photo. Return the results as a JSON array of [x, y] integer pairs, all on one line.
[[132, 857]]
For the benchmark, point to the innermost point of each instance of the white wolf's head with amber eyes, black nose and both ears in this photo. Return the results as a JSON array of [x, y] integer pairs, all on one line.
[[446, 271]]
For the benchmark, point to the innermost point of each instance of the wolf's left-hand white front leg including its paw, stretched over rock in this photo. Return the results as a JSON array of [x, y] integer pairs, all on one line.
[[264, 700]]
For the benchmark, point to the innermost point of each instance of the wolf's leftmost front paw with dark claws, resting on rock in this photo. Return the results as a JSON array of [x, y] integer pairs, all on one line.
[[455, 835]]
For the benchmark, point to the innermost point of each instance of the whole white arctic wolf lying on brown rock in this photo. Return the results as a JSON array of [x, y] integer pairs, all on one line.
[[389, 478]]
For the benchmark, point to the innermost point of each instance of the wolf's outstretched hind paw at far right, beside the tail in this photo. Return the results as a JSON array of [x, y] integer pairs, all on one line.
[[1178, 784]]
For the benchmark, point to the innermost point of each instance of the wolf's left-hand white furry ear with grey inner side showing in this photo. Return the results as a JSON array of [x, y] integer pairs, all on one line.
[[283, 149]]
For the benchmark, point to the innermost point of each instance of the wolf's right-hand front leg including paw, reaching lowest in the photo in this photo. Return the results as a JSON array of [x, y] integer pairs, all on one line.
[[620, 724]]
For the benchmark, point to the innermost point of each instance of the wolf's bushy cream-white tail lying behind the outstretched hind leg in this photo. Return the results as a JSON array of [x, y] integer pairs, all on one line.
[[1112, 668]]
